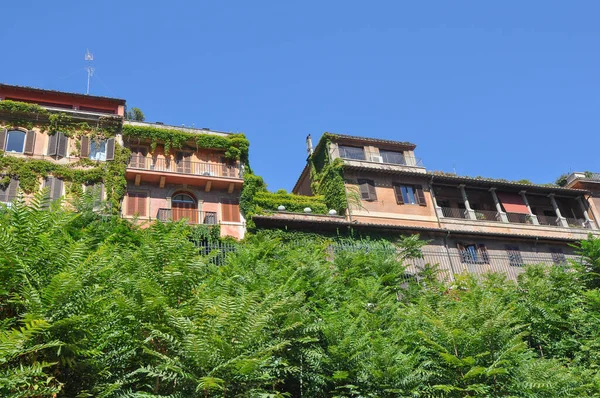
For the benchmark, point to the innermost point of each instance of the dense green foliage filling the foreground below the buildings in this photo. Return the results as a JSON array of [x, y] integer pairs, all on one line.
[[93, 306]]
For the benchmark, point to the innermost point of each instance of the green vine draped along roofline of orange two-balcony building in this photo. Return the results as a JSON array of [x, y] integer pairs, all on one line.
[[235, 146]]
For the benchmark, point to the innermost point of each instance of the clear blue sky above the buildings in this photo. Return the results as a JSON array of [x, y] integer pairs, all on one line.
[[509, 90]]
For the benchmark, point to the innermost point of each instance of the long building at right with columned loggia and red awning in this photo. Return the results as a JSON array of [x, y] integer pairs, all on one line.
[[472, 224]]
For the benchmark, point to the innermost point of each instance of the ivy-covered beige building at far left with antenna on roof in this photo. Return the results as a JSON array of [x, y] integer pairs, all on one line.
[[55, 127]]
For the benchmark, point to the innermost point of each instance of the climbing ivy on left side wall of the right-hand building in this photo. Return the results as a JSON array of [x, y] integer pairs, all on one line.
[[327, 177]]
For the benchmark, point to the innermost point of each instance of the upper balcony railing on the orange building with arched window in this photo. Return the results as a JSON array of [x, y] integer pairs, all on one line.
[[185, 167]]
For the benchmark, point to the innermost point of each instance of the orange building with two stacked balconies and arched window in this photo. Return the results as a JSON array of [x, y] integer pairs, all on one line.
[[200, 185]]
